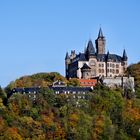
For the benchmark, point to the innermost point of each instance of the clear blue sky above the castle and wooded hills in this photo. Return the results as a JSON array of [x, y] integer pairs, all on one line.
[[35, 34]]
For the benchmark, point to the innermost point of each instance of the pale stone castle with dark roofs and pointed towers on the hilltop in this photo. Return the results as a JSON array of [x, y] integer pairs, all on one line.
[[95, 62]]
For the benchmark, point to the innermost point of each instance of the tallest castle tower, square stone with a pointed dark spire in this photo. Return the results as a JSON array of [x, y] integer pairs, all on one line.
[[100, 43]]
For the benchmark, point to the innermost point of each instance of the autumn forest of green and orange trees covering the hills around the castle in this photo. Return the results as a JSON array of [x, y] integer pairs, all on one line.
[[104, 113]]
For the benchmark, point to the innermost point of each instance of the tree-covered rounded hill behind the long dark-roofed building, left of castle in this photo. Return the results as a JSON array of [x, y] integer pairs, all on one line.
[[41, 80]]
